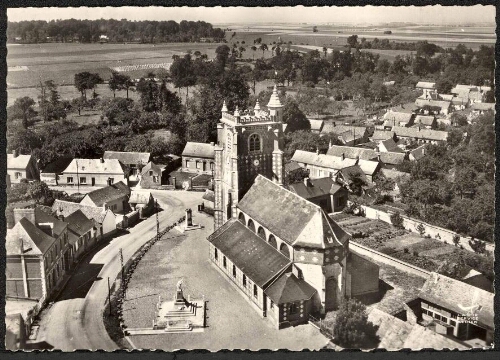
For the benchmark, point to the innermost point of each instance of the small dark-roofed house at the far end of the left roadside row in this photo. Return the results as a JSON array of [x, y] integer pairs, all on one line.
[[81, 233]]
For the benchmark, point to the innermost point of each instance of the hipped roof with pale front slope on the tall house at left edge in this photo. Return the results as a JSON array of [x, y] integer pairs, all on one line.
[[34, 240]]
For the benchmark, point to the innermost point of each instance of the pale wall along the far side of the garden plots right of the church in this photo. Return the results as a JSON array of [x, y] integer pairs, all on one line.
[[433, 231]]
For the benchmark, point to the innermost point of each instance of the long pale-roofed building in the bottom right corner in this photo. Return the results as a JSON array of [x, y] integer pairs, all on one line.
[[453, 308]]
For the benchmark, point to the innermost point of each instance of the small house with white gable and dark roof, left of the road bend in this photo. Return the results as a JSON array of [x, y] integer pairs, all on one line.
[[114, 197]]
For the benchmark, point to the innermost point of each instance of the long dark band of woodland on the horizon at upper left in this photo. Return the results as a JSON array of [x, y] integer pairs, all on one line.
[[88, 31]]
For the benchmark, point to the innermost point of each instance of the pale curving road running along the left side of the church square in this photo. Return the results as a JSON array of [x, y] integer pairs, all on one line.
[[76, 320]]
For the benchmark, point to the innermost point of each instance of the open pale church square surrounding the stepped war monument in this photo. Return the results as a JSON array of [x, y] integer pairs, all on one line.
[[232, 323]]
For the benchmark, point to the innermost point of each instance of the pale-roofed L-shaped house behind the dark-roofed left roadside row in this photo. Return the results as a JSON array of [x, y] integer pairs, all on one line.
[[104, 220]]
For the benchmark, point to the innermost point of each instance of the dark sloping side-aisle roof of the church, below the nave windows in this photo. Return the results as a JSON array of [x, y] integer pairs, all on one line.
[[257, 259]]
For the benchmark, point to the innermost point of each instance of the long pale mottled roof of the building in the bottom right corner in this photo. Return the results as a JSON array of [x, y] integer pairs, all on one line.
[[458, 296]]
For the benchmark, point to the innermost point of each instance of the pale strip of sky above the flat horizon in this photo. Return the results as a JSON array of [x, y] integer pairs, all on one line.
[[233, 15]]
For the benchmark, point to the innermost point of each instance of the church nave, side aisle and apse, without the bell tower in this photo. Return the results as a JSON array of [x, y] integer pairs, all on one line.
[[287, 265]]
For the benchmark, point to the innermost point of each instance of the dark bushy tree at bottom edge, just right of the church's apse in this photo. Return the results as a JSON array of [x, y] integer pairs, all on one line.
[[351, 328]]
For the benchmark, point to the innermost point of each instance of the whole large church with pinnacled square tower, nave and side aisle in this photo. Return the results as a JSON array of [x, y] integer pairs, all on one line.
[[284, 253]]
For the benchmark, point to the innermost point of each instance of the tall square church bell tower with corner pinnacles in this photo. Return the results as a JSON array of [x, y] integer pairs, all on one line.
[[247, 145]]
